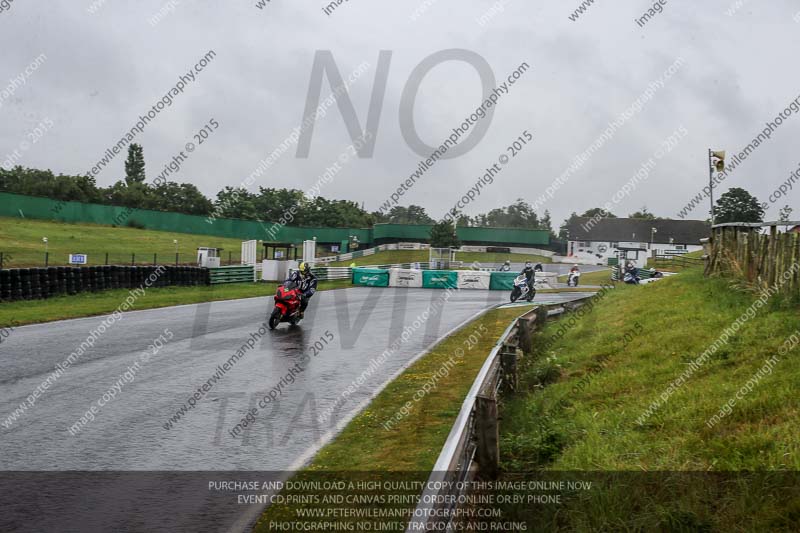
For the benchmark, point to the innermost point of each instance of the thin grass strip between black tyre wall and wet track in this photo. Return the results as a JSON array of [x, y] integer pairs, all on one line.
[[100, 303]]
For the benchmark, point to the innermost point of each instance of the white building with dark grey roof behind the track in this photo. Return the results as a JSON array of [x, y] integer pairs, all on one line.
[[594, 242]]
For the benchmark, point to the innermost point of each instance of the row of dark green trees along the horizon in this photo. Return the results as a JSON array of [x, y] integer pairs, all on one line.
[[271, 204]]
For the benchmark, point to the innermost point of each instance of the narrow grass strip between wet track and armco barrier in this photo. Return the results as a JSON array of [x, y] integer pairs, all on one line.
[[413, 443]]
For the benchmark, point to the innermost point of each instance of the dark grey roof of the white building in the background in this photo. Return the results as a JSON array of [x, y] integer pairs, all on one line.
[[638, 230]]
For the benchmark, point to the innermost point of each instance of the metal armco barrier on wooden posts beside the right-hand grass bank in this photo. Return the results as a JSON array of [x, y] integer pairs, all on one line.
[[472, 447]]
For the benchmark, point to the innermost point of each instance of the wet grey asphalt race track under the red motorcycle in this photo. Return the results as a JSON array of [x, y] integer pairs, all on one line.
[[127, 453]]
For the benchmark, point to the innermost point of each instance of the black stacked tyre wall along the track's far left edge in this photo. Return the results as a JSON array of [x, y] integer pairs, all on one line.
[[38, 283]]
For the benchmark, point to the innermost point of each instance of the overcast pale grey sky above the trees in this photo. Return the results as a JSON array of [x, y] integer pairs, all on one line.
[[104, 69]]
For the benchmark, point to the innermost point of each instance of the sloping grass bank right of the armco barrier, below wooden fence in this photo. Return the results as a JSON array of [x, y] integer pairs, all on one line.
[[588, 397]]
